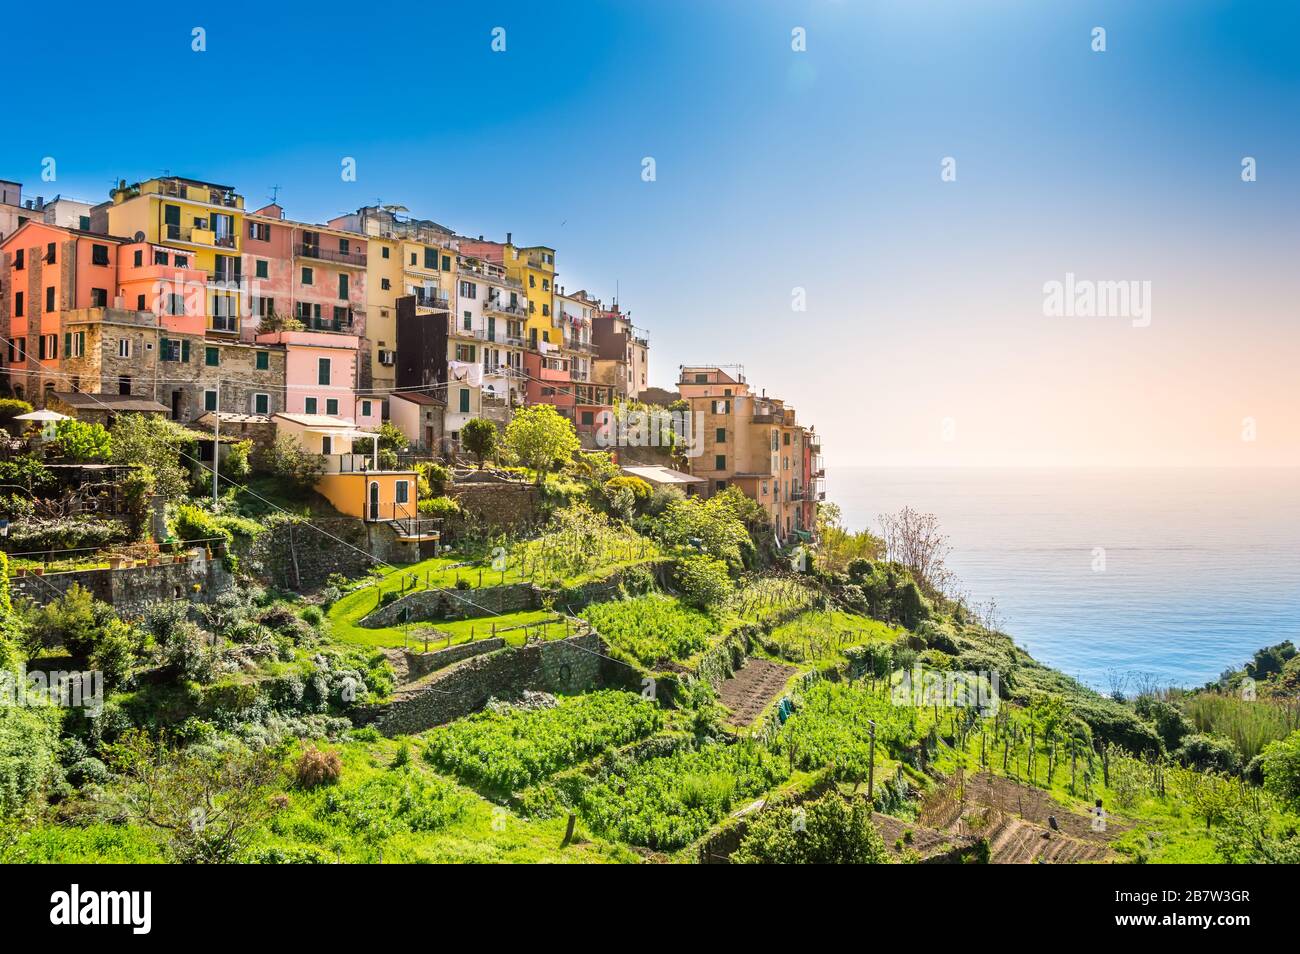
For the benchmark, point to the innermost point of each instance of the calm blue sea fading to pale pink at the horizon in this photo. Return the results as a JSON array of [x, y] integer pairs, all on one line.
[[1202, 566]]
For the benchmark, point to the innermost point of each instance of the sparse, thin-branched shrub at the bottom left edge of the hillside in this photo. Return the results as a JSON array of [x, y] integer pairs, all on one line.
[[207, 803]]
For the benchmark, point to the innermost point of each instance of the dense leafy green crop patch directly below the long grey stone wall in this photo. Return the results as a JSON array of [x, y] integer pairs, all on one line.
[[506, 751]]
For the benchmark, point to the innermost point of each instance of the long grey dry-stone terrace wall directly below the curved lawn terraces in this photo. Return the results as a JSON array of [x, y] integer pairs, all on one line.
[[562, 666]]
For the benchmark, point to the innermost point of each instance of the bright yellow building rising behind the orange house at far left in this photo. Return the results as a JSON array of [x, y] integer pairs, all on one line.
[[192, 224]]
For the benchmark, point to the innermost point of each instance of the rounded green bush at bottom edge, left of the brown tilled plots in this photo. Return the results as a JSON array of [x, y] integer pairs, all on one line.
[[830, 831]]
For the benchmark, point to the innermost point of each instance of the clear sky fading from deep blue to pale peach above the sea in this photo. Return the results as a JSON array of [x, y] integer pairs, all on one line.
[[925, 339]]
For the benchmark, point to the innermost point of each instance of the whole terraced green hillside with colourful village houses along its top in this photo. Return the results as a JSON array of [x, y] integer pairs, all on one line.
[[365, 541]]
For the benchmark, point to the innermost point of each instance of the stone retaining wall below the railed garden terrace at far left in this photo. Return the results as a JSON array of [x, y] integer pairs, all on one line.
[[133, 588]]
